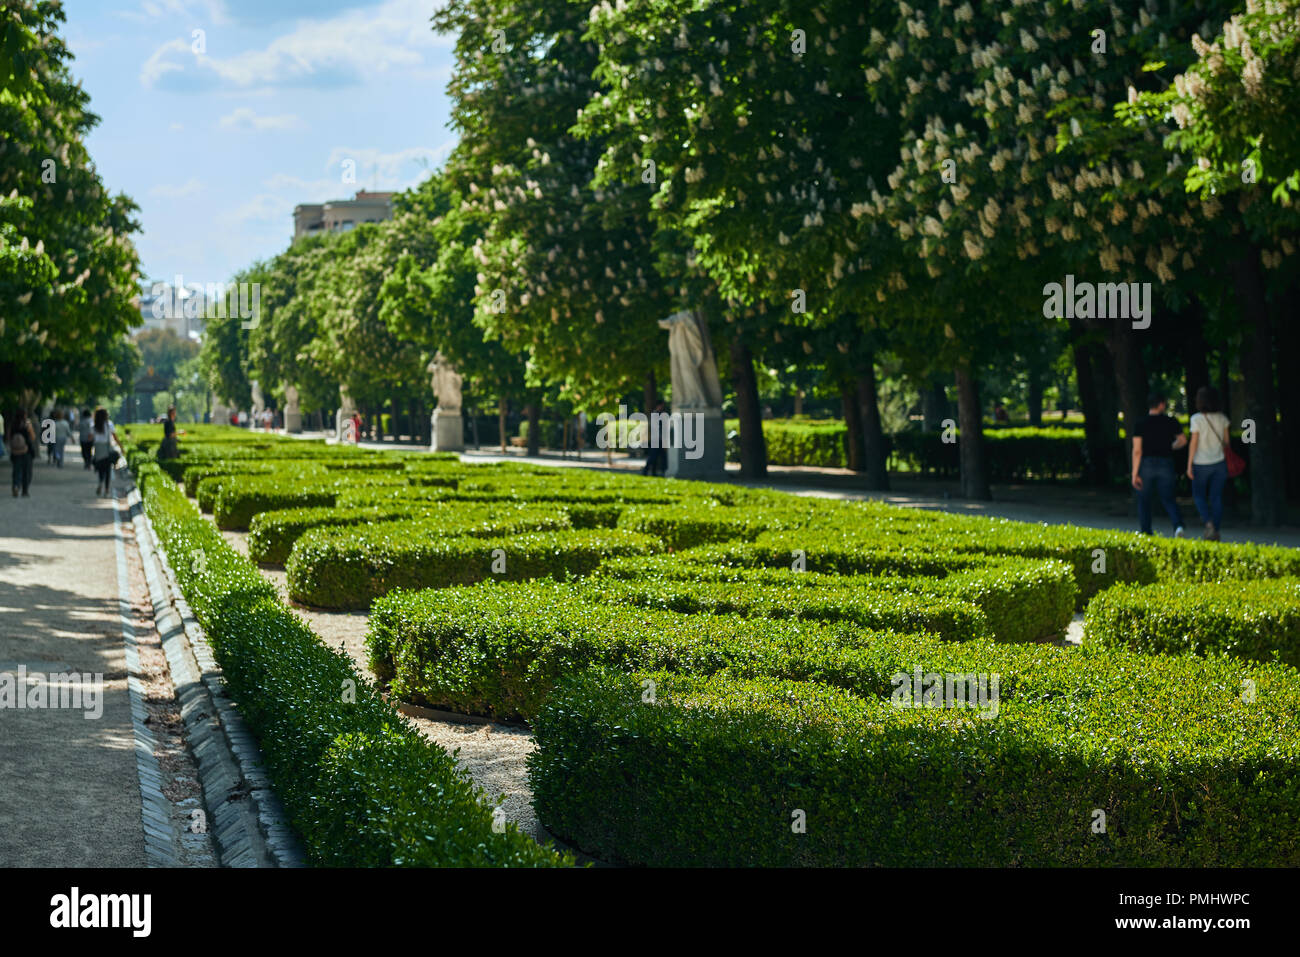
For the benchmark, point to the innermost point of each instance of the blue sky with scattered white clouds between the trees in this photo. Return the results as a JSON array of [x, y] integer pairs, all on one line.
[[219, 146]]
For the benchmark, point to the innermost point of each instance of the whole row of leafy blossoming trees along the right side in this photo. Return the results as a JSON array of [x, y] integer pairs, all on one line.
[[834, 188]]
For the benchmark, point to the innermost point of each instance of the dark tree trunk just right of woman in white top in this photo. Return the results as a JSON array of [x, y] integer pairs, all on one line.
[[1260, 395]]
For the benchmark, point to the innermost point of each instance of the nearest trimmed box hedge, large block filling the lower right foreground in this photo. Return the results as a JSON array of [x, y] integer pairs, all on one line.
[[726, 772]]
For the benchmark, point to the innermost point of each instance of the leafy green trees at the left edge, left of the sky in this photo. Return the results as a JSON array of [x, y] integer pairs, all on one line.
[[68, 267]]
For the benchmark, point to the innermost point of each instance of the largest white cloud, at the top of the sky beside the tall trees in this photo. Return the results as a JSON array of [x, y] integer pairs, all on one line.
[[356, 45]]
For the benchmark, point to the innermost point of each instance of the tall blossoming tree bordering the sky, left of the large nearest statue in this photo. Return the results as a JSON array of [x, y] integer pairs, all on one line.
[[565, 270]]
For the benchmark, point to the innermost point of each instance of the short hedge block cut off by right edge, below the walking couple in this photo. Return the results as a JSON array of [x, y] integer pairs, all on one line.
[[1259, 621]]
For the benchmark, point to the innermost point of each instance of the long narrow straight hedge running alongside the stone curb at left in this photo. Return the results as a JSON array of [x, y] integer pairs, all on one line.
[[361, 786]]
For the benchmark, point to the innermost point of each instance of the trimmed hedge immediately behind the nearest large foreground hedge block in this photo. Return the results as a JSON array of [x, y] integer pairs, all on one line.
[[500, 648]]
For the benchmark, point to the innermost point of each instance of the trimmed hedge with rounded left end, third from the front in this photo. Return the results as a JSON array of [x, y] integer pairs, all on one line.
[[350, 568]]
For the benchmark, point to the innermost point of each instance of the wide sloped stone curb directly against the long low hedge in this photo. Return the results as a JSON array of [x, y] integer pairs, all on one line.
[[246, 817]]
